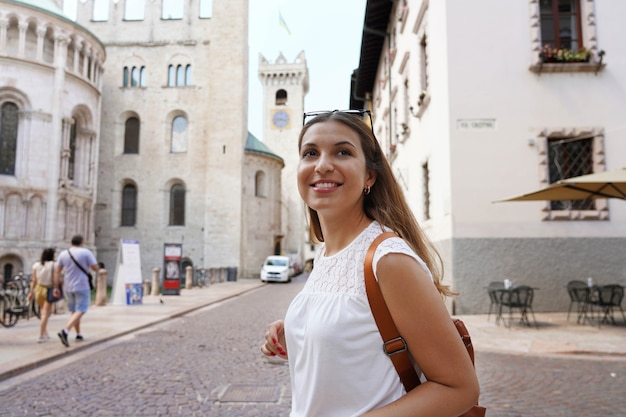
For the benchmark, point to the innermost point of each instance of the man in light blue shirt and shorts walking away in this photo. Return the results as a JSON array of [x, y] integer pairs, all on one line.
[[75, 262]]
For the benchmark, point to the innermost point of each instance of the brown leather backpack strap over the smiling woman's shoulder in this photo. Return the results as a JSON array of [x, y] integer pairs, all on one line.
[[394, 345]]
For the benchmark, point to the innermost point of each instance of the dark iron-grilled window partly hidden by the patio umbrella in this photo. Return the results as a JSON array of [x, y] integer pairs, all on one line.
[[570, 157]]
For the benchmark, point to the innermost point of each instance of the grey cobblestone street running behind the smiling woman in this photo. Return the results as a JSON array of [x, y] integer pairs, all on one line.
[[208, 364]]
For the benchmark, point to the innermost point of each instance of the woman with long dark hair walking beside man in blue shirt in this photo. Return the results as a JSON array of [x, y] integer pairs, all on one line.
[[43, 271]]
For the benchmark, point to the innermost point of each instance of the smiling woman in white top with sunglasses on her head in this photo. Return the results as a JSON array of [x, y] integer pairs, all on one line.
[[337, 365]]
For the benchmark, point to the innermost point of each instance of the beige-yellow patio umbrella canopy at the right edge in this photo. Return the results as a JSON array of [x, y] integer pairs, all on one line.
[[608, 184]]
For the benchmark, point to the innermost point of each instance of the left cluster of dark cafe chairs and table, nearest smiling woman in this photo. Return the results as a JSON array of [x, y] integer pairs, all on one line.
[[512, 297]]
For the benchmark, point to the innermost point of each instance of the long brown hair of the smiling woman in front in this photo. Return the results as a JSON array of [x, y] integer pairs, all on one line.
[[385, 202]]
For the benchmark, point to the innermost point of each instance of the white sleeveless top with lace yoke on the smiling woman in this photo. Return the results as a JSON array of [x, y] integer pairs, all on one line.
[[336, 361]]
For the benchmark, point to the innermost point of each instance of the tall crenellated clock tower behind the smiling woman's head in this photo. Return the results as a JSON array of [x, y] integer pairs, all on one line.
[[284, 87]]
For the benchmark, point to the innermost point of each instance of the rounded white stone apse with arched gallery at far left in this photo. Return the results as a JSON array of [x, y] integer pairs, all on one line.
[[50, 100]]
